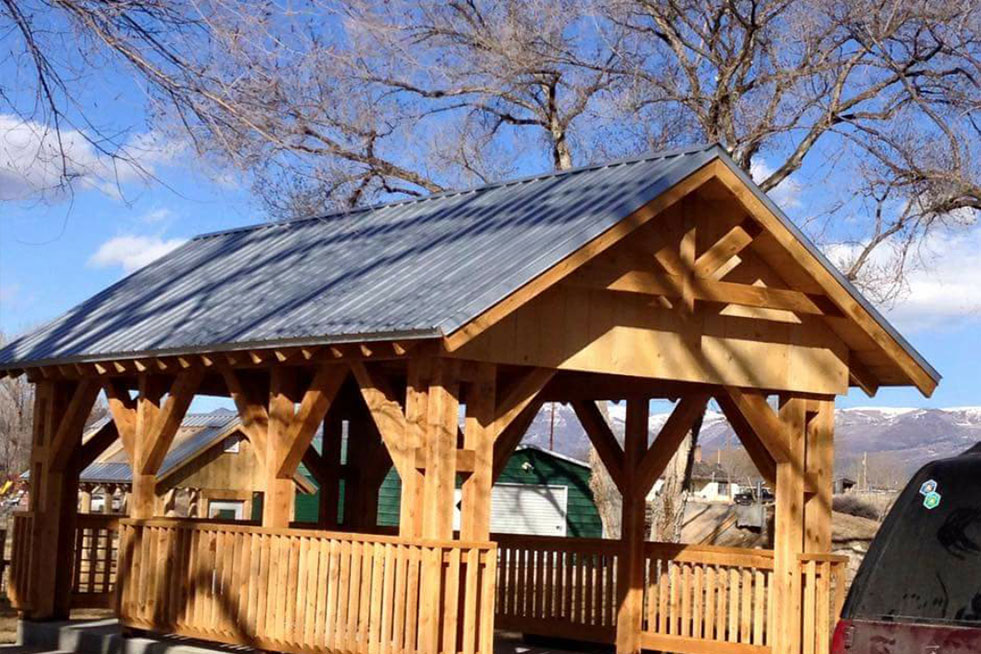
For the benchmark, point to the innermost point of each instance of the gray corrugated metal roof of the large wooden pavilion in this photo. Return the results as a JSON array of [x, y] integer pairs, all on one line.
[[419, 268]]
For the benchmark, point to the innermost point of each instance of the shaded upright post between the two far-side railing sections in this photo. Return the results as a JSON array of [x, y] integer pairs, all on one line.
[[631, 569]]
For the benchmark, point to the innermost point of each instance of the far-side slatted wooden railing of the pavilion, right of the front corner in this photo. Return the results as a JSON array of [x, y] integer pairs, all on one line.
[[697, 598]]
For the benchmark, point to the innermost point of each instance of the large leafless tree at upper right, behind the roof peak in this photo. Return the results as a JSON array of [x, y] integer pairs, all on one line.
[[887, 91]]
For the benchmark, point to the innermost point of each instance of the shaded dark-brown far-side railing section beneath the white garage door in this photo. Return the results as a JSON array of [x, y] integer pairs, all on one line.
[[557, 587]]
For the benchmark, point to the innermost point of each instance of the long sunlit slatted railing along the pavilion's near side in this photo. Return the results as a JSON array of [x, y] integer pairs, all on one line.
[[303, 590]]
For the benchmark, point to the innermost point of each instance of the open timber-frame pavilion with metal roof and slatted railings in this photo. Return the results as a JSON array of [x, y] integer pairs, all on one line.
[[671, 276]]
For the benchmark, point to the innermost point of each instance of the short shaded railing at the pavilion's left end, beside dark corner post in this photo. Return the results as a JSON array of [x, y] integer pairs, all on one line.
[[96, 553]]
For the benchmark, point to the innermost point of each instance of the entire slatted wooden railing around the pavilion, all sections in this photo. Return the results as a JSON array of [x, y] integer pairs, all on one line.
[[301, 590]]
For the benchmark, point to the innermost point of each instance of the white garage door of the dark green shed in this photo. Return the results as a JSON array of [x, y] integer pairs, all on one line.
[[525, 509]]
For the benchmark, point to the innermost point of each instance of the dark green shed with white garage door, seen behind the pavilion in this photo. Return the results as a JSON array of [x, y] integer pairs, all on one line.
[[539, 492]]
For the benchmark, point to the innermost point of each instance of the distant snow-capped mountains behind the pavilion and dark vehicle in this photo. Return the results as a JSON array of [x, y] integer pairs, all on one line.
[[901, 438]]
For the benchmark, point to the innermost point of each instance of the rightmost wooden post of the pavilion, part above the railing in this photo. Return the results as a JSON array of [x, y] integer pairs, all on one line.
[[819, 467]]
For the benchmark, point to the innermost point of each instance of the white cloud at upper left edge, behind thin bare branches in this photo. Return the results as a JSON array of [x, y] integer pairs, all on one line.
[[36, 164]]
